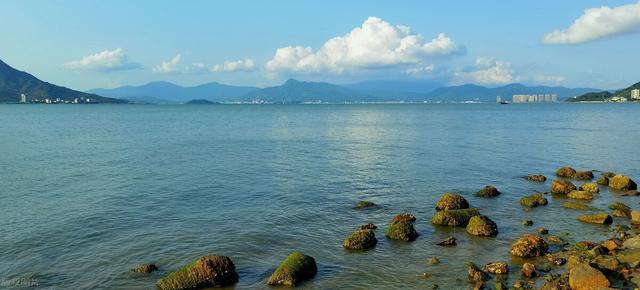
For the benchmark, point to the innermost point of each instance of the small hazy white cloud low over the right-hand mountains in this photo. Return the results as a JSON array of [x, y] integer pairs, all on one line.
[[487, 71]]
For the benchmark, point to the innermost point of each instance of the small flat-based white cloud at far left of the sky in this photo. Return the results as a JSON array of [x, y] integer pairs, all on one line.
[[107, 60]]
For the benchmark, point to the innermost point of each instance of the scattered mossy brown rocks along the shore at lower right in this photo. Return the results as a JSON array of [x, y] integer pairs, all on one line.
[[541, 259]]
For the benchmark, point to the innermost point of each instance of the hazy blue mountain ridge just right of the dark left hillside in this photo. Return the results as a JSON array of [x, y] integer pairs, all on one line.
[[168, 92]]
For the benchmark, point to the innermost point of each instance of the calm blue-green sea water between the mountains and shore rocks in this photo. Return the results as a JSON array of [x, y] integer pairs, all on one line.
[[88, 192]]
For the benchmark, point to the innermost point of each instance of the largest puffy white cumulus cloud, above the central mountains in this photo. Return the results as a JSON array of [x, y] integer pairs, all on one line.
[[375, 44]]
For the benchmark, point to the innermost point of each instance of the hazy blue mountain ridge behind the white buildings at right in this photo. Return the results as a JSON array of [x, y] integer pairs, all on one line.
[[471, 92]]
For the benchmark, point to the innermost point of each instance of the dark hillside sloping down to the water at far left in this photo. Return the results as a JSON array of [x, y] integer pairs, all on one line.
[[13, 83]]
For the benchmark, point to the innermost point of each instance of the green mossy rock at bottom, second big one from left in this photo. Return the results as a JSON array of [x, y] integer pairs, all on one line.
[[296, 268]]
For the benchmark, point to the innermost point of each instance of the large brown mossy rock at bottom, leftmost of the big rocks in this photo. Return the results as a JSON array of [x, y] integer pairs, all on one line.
[[207, 271]]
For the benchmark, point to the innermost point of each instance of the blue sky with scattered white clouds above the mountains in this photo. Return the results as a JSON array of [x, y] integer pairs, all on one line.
[[104, 44]]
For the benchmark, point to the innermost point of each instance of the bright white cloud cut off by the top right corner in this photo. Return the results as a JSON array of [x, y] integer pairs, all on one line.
[[597, 23]]
